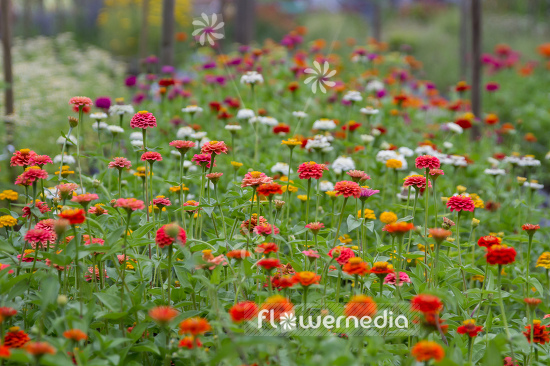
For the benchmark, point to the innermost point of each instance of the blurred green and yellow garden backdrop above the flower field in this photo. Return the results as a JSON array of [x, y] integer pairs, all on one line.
[[430, 30]]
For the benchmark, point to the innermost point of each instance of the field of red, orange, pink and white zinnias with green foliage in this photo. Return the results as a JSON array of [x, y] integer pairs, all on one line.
[[199, 218]]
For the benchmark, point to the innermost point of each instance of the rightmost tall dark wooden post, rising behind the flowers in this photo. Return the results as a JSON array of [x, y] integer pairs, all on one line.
[[476, 62]]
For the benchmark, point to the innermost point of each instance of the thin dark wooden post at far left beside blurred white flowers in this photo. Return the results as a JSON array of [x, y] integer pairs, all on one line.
[[5, 23]]
